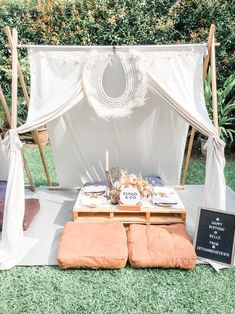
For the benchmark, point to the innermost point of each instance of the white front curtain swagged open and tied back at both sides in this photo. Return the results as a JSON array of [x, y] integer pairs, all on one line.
[[178, 81]]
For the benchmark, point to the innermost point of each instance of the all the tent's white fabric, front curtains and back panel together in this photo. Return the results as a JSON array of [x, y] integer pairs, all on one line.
[[150, 141]]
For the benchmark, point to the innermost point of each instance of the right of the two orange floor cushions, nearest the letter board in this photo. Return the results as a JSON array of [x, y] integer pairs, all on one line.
[[166, 246]]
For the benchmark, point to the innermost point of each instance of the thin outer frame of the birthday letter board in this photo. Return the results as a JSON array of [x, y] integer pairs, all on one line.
[[195, 242]]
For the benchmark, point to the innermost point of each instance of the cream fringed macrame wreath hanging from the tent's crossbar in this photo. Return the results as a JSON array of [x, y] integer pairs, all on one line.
[[135, 90]]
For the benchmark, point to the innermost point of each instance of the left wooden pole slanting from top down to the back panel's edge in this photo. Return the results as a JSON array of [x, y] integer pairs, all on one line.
[[26, 96]]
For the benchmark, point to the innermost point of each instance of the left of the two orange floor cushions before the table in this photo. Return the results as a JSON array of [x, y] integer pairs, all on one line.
[[93, 245]]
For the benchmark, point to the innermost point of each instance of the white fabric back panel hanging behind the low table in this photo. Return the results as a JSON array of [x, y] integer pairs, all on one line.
[[133, 143]]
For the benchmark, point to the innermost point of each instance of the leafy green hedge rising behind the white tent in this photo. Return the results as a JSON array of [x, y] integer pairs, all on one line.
[[119, 22]]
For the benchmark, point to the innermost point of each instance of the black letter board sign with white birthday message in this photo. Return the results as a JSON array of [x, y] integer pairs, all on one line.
[[214, 238]]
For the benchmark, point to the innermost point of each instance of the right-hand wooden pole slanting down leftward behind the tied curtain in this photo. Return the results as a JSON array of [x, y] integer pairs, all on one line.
[[205, 68]]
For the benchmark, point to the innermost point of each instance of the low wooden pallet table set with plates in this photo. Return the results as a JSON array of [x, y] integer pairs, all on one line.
[[148, 214]]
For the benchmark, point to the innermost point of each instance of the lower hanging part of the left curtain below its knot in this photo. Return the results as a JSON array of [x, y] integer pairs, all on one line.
[[14, 204]]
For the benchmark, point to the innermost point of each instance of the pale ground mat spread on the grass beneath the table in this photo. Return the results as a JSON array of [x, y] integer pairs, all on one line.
[[56, 210]]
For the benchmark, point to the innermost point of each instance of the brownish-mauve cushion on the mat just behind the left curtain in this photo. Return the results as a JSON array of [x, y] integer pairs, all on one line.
[[32, 206]]
